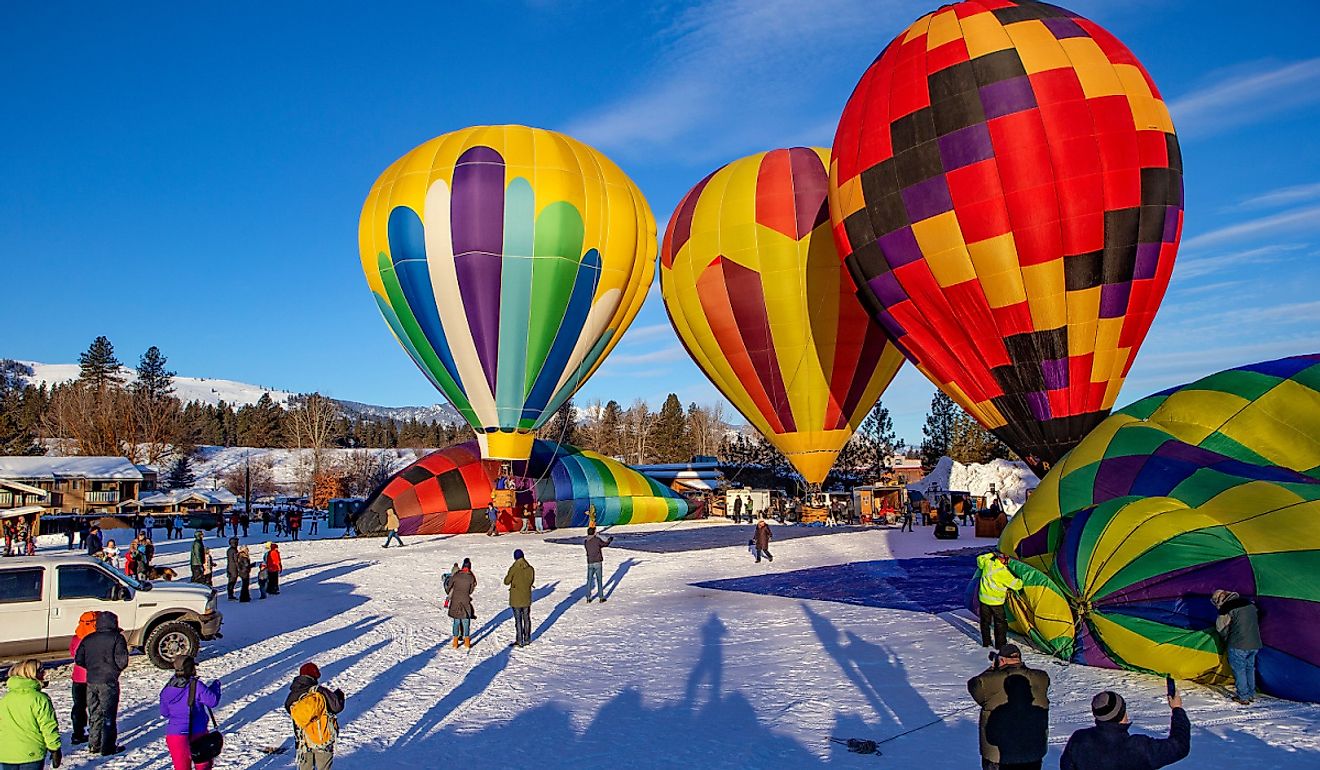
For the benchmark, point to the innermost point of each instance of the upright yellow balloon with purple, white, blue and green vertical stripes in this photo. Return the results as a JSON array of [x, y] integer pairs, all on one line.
[[508, 262]]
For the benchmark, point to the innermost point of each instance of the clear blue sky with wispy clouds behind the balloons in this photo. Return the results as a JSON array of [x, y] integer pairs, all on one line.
[[191, 176]]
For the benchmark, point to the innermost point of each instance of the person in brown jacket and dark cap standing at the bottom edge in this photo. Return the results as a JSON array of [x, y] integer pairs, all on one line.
[[1014, 713]]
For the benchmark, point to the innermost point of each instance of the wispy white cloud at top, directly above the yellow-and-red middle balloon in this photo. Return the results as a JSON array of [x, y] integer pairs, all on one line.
[[746, 75]]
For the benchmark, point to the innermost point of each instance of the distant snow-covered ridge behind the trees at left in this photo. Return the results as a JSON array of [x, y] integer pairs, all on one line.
[[213, 392]]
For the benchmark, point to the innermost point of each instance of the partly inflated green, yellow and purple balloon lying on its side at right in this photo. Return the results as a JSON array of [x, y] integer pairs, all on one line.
[[1214, 485]]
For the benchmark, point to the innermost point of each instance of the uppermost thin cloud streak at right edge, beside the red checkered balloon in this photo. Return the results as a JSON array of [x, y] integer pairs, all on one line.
[[1247, 96]]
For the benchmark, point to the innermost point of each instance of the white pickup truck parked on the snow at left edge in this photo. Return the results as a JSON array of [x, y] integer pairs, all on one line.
[[42, 599]]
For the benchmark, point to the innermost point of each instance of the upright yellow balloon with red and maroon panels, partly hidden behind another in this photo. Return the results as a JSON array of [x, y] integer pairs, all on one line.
[[758, 295]]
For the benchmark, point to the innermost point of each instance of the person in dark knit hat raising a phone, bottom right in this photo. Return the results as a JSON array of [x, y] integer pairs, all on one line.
[[1111, 747]]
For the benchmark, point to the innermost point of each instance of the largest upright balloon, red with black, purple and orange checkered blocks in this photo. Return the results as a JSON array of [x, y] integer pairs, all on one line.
[[1008, 192]]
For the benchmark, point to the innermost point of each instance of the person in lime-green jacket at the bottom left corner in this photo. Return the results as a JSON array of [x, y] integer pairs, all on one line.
[[28, 727]]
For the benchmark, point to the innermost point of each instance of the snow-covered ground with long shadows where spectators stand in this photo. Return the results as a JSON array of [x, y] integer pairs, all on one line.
[[663, 676]]
